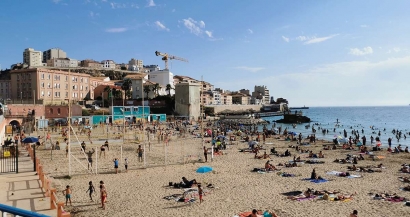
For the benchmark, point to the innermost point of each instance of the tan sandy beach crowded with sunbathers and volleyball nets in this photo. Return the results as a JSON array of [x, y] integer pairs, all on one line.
[[141, 191]]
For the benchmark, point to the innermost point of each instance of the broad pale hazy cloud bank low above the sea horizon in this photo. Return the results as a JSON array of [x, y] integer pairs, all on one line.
[[320, 86]]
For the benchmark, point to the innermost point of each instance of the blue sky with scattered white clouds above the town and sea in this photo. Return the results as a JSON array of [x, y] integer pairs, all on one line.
[[314, 53]]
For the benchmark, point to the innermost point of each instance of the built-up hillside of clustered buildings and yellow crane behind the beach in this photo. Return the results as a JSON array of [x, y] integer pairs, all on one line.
[[51, 78]]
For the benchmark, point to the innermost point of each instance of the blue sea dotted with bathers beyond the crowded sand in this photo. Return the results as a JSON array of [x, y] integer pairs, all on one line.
[[371, 119]]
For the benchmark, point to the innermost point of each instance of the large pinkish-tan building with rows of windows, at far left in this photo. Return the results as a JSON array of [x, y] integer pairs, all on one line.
[[48, 86]]
